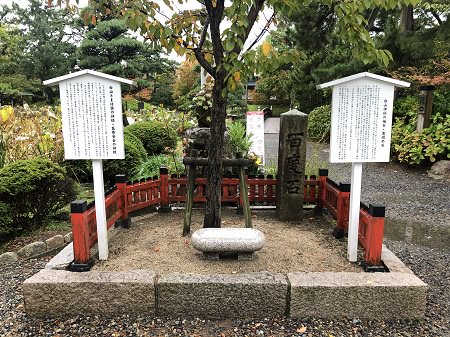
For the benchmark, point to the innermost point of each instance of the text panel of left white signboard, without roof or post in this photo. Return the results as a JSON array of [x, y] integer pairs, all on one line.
[[92, 118]]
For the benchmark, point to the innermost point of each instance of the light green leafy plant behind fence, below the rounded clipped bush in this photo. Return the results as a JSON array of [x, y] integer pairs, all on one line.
[[150, 167]]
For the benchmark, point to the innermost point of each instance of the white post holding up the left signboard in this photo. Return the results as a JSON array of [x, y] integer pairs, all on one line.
[[100, 210]]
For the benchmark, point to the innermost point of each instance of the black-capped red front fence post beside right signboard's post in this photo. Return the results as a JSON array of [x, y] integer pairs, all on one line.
[[374, 238]]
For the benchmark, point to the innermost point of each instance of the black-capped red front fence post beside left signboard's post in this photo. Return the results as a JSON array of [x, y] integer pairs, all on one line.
[[80, 232]]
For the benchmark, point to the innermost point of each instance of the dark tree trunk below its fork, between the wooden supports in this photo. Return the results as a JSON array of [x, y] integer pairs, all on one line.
[[215, 154]]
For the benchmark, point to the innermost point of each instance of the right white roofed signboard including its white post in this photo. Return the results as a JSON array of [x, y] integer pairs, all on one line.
[[361, 120]]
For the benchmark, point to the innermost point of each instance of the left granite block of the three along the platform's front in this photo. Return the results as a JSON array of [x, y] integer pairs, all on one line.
[[58, 293]]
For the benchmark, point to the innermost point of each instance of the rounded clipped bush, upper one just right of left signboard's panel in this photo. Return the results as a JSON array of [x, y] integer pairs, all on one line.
[[154, 136]]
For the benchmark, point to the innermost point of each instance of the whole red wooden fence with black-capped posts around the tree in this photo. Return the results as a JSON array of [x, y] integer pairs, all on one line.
[[128, 196]]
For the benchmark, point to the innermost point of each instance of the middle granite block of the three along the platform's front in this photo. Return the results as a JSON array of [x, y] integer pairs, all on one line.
[[222, 296]]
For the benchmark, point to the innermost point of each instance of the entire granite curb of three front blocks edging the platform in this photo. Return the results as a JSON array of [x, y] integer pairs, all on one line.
[[398, 294]]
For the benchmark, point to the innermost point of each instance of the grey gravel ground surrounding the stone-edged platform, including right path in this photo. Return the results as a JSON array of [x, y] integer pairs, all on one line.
[[411, 198]]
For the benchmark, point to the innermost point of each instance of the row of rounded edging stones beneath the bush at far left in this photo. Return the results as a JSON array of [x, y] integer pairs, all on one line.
[[36, 249]]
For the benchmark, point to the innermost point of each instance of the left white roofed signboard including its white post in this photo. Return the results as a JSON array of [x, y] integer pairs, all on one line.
[[91, 104]]
